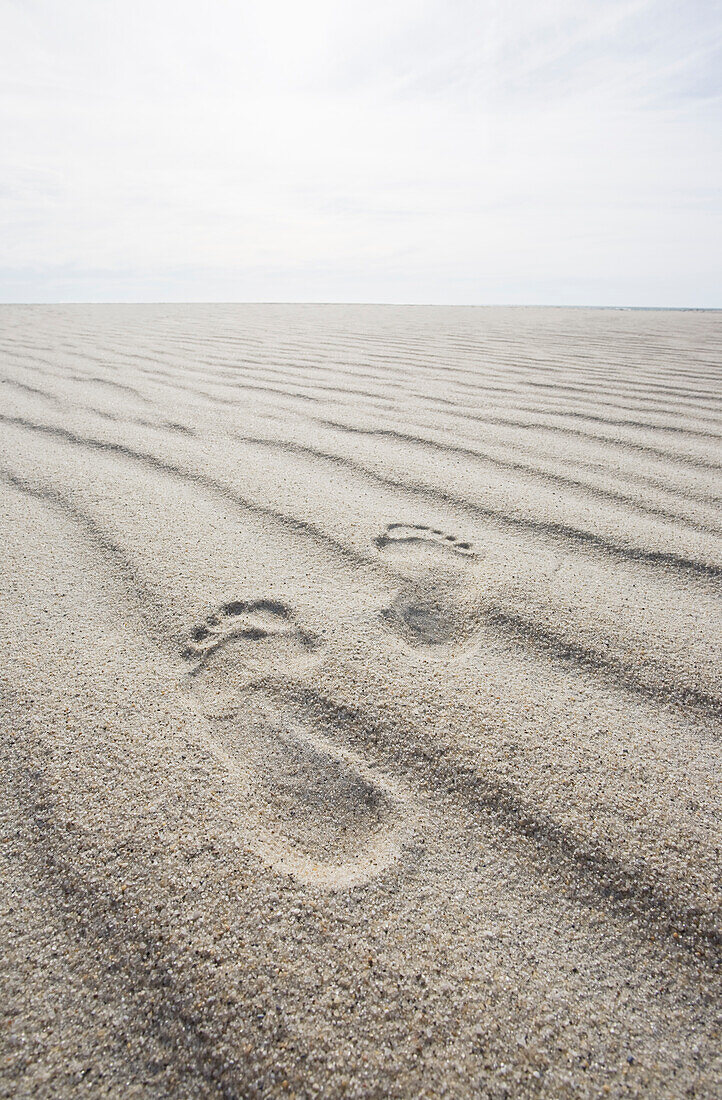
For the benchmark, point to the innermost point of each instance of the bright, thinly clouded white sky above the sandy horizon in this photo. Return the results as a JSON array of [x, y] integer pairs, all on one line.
[[563, 152]]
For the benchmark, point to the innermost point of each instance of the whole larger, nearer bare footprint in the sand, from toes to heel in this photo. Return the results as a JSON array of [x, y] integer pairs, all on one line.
[[313, 810]]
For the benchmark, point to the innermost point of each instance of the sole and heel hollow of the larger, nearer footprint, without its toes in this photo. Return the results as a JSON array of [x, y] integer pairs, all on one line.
[[314, 811]]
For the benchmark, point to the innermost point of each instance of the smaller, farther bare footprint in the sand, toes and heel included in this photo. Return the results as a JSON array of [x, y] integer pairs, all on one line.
[[437, 610]]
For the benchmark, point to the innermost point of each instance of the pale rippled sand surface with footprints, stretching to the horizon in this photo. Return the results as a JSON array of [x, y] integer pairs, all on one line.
[[362, 702]]
